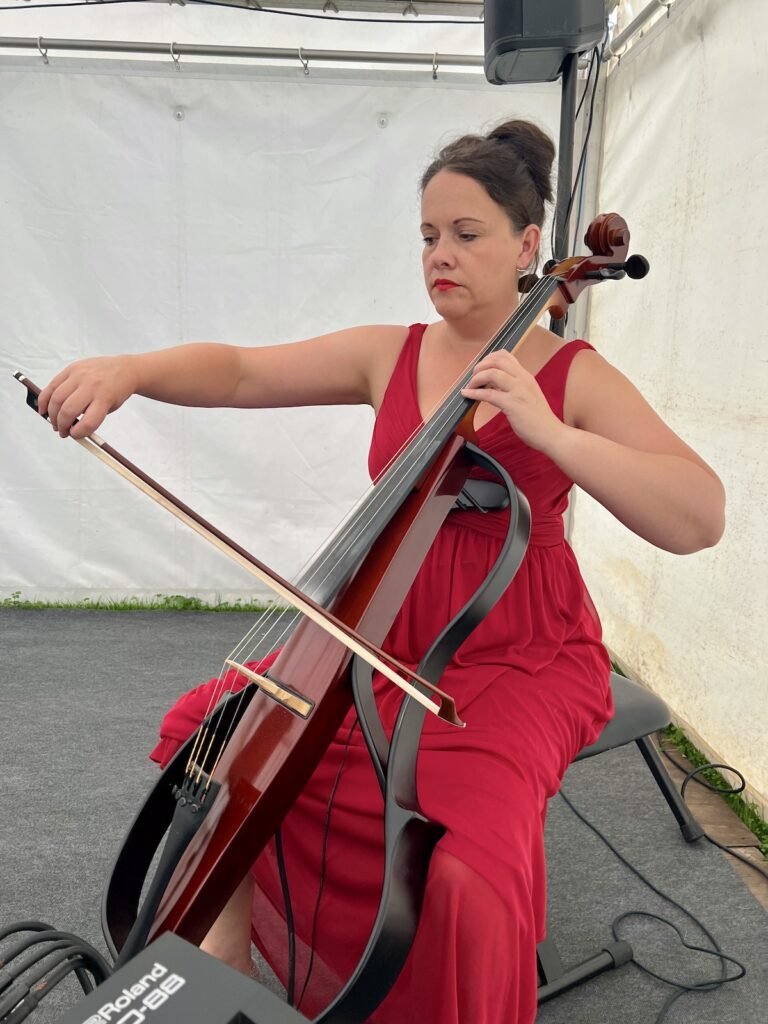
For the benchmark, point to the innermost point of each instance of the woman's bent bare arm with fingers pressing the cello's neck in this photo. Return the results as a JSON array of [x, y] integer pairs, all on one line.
[[615, 447]]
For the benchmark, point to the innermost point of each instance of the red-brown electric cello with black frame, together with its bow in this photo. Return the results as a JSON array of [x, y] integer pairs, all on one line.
[[225, 794]]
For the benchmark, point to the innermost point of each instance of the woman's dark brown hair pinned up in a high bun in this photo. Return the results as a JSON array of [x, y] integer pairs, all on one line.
[[514, 163]]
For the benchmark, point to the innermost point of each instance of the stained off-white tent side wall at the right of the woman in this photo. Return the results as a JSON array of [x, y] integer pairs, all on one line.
[[686, 160]]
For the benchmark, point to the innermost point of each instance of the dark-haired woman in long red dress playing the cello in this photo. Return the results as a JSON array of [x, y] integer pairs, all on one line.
[[532, 681]]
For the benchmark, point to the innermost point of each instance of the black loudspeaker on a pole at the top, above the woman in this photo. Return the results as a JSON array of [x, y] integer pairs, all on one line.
[[528, 40]]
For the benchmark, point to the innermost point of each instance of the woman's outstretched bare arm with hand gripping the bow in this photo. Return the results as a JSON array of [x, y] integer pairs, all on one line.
[[345, 368]]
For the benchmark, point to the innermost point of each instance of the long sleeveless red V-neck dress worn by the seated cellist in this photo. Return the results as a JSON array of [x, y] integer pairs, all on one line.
[[532, 684]]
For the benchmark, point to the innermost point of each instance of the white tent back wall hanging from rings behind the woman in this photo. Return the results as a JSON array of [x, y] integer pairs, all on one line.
[[145, 207]]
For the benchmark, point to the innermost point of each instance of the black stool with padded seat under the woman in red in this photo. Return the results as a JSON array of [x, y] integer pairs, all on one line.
[[638, 714]]
